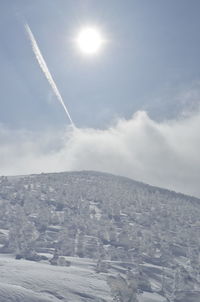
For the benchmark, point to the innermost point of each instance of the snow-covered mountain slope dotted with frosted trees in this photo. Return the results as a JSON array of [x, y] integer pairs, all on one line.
[[97, 237]]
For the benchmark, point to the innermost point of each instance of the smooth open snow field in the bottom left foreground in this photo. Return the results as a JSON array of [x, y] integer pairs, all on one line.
[[27, 281]]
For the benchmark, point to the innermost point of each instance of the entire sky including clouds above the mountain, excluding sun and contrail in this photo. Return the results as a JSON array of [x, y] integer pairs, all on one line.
[[135, 105]]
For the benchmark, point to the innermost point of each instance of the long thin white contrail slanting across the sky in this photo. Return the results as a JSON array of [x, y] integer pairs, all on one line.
[[45, 69]]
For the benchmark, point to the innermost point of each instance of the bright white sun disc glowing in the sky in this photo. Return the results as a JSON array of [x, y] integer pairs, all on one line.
[[89, 40]]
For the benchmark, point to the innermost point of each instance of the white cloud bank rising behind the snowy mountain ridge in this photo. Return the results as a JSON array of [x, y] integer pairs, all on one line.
[[163, 154]]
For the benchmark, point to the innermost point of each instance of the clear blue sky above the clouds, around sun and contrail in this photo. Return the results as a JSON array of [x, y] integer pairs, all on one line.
[[151, 58]]
